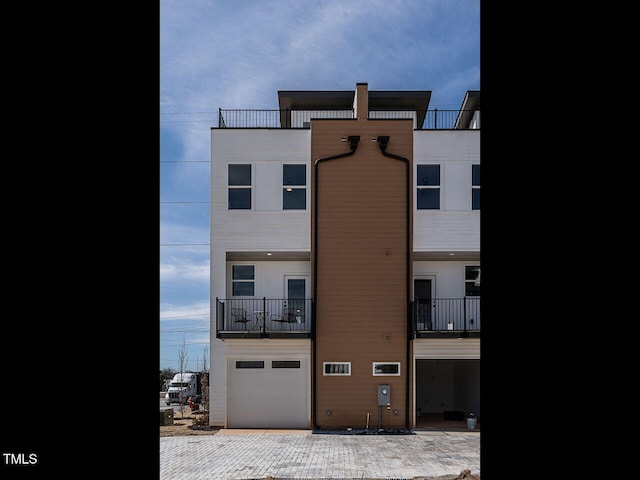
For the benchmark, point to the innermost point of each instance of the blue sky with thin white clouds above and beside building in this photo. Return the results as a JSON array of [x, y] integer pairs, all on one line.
[[220, 54]]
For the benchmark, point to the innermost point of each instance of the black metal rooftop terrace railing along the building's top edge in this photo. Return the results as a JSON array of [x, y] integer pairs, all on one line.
[[433, 119]]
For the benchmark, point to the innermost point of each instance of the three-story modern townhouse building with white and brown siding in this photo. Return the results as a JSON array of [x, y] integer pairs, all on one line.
[[345, 261]]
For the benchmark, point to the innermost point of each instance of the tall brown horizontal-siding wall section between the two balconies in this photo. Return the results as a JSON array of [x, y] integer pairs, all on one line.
[[361, 270]]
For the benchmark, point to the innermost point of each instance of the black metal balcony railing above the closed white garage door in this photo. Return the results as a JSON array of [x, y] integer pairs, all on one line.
[[264, 315]]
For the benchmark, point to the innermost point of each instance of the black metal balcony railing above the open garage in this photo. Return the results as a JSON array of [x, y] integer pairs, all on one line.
[[446, 314]]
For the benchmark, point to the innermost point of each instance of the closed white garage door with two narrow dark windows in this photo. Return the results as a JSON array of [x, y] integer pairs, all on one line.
[[268, 393]]
